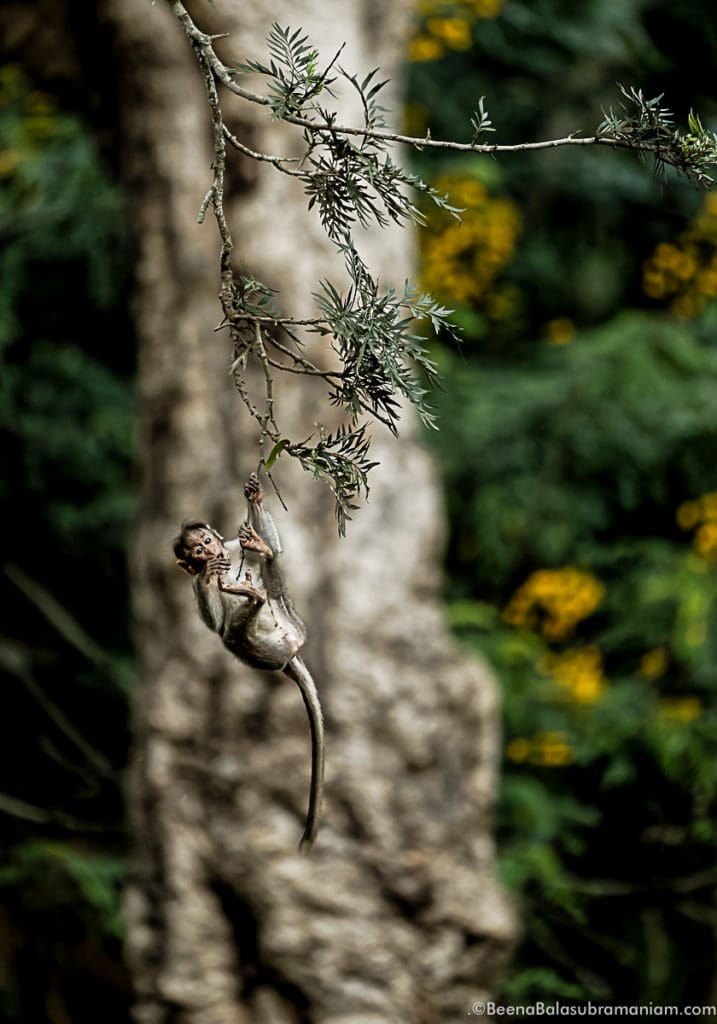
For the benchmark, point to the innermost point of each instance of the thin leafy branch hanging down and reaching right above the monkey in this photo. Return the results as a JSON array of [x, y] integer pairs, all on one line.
[[350, 177]]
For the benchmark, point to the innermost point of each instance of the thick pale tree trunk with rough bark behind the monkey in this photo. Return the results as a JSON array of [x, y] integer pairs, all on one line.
[[397, 915]]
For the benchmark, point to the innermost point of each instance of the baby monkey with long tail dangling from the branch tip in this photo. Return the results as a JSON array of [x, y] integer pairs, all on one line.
[[254, 615]]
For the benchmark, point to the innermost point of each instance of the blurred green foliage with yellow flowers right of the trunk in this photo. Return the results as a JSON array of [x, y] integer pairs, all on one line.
[[581, 476]]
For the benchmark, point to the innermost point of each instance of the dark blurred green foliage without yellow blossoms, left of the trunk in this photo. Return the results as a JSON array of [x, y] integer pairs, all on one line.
[[67, 421]]
